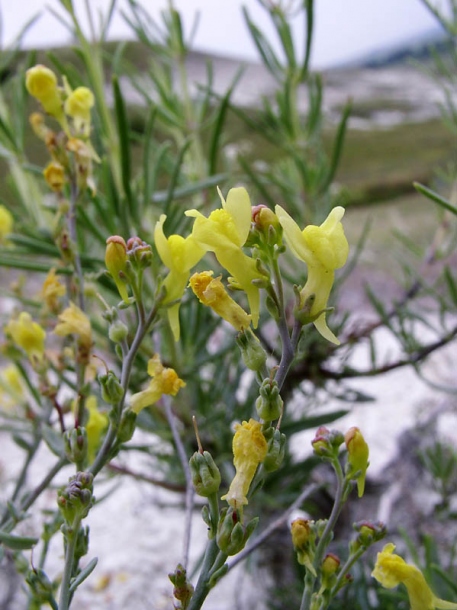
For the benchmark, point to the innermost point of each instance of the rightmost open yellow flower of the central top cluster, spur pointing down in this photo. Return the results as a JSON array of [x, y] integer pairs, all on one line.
[[324, 249]]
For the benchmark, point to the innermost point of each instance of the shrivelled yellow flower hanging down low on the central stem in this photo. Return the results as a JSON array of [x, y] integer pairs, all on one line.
[[249, 450]]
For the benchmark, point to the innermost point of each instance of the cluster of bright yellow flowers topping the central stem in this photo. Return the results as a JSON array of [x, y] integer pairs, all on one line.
[[224, 232]]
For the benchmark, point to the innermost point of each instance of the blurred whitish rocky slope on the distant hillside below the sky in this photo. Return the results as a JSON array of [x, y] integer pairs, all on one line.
[[383, 96]]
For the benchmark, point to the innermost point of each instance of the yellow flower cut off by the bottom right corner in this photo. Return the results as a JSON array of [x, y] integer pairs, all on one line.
[[391, 570]]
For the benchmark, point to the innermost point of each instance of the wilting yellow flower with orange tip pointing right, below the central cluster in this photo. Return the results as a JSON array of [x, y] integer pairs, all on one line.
[[164, 381]]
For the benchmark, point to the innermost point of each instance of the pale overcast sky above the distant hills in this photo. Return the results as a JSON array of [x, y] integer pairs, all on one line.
[[346, 30]]
